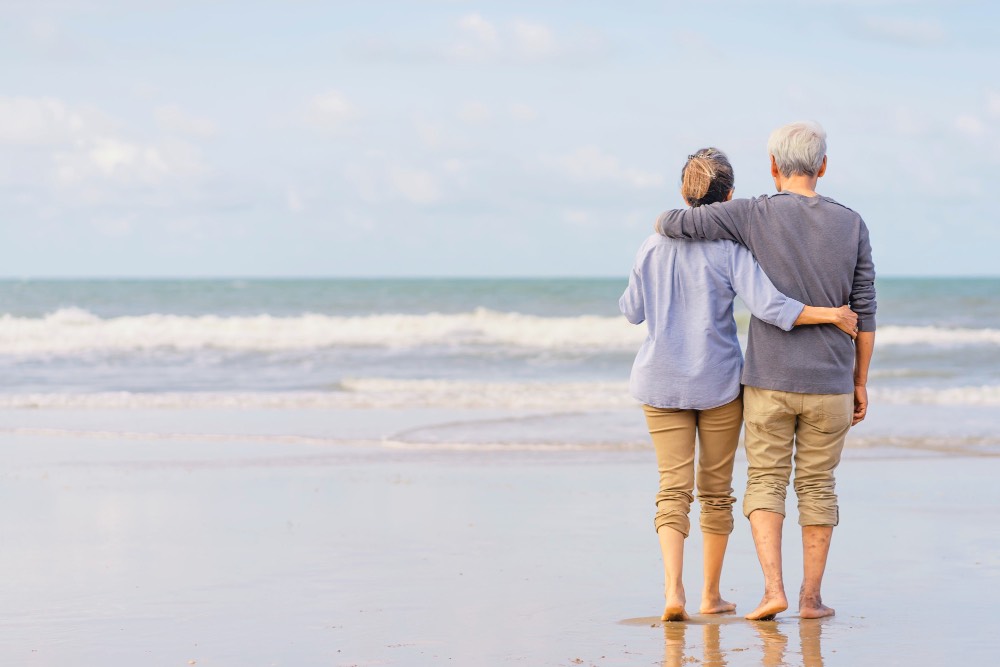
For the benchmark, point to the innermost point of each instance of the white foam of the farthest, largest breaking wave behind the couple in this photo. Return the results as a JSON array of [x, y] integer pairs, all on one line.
[[72, 330]]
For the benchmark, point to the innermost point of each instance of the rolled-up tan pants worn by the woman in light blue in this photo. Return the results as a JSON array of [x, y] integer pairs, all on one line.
[[673, 433]]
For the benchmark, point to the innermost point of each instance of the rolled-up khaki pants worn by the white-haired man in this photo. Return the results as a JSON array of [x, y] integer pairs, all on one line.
[[811, 428]]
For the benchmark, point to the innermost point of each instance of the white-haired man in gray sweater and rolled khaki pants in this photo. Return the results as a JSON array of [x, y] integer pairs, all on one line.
[[804, 388]]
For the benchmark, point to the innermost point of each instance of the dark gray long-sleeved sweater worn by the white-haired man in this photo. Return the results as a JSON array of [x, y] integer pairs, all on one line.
[[814, 250]]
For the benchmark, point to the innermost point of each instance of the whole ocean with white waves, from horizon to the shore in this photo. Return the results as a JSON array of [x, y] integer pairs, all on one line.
[[531, 363]]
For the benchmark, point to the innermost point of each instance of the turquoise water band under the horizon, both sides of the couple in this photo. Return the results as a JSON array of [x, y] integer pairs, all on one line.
[[905, 301]]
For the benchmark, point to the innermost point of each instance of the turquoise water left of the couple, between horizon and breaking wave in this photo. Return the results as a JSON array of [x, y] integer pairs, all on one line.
[[112, 298]]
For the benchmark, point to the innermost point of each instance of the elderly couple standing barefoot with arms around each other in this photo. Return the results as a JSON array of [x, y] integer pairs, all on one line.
[[803, 385]]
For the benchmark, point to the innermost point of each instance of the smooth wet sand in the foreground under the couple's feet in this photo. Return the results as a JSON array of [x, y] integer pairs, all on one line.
[[125, 550]]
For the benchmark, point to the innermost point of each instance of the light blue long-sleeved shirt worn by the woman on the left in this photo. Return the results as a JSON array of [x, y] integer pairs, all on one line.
[[684, 291]]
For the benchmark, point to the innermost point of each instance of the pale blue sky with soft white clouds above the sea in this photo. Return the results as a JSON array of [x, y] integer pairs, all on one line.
[[454, 138]]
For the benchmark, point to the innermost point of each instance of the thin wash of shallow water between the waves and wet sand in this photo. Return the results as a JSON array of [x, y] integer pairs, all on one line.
[[889, 432]]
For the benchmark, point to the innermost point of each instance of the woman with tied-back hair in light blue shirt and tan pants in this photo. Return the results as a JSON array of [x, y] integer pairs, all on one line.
[[687, 373]]
